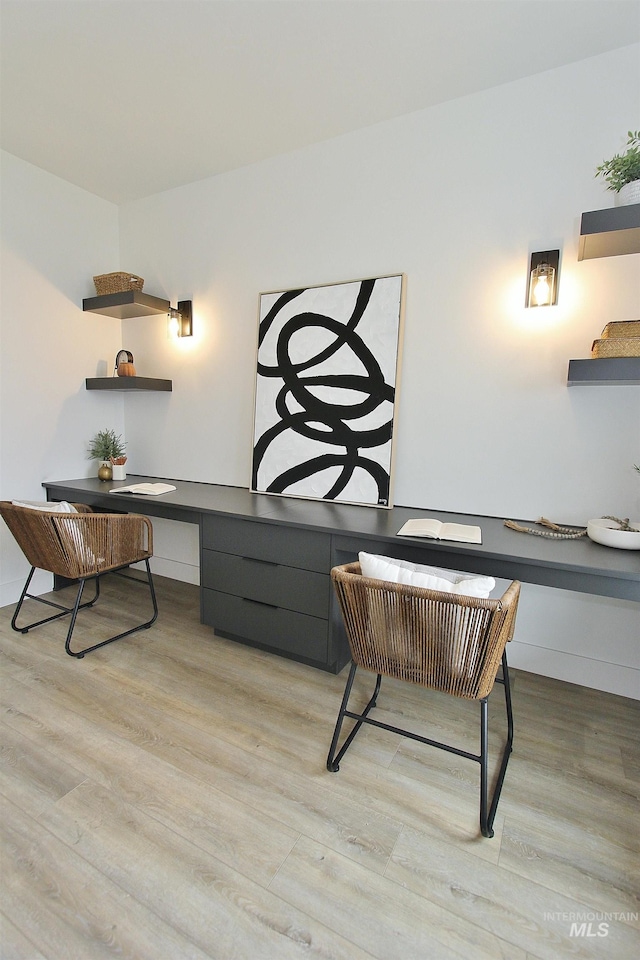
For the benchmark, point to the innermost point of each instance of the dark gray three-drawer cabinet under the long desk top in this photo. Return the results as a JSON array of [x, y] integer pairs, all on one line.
[[269, 586]]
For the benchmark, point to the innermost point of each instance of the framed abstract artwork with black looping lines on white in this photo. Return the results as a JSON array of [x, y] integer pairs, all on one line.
[[327, 371]]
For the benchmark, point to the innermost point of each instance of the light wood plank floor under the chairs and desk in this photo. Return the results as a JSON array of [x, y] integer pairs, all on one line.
[[166, 798]]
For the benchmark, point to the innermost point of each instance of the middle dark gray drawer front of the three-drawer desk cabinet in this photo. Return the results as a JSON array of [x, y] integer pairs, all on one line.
[[272, 583]]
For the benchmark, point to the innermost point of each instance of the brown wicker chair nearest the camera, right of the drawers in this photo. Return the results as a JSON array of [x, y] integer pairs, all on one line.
[[444, 641]]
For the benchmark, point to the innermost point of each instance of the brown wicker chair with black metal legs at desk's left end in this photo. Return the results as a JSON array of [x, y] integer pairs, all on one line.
[[79, 546]]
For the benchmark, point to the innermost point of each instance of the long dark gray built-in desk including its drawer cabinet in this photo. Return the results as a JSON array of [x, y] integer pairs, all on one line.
[[265, 560]]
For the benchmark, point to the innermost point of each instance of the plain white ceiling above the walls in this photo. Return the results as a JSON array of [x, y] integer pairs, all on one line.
[[127, 98]]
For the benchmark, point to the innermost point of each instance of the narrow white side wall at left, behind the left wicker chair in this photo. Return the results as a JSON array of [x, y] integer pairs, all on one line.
[[55, 237]]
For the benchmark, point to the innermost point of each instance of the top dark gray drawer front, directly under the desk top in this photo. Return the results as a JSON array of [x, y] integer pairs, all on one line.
[[293, 547]]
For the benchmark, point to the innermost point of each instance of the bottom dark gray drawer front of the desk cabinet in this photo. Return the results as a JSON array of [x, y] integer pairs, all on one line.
[[283, 630]]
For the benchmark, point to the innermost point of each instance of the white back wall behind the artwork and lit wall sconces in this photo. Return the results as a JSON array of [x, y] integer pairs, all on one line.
[[455, 197]]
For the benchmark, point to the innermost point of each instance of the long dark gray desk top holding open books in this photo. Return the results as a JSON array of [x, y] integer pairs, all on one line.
[[579, 565]]
